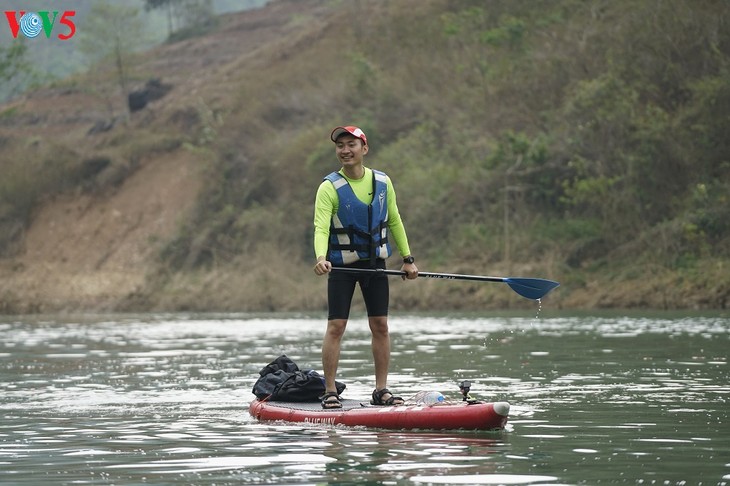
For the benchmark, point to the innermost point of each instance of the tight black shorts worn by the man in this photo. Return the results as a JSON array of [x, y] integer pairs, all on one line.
[[374, 287]]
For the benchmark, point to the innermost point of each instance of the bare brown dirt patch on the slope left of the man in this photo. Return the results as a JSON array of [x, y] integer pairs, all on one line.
[[93, 250]]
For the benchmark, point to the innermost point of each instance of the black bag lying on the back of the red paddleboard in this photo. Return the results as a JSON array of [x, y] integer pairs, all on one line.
[[283, 381]]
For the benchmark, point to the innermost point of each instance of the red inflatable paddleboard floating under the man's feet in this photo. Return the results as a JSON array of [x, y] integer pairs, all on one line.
[[462, 415]]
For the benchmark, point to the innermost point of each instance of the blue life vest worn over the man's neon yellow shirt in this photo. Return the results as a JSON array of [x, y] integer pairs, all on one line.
[[359, 231]]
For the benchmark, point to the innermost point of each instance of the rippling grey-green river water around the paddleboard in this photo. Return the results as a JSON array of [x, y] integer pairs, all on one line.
[[162, 399]]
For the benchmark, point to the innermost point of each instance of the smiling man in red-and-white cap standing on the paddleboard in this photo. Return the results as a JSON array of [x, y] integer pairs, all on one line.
[[355, 220]]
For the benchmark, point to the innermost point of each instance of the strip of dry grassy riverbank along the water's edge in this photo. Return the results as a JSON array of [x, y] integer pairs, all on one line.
[[50, 289]]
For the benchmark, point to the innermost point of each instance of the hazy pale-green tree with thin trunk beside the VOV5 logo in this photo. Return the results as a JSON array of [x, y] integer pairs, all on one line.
[[113, 32]]
